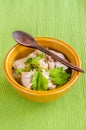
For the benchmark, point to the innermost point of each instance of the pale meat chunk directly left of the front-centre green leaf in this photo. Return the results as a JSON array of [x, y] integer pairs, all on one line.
[[26, 79]]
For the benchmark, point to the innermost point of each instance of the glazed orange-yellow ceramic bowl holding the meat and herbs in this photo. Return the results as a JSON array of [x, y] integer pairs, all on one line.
[[18, 51]]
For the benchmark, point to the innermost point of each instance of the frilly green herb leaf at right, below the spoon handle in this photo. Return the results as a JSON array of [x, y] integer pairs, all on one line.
[[59, 76]]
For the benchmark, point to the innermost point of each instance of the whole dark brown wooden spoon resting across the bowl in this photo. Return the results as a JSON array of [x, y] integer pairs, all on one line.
[[27, 40]]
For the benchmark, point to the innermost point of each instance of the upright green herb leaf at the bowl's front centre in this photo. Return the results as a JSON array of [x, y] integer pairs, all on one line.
[[39, 81]]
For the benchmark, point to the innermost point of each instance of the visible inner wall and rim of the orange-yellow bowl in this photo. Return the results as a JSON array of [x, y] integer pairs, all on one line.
[[19, 51]]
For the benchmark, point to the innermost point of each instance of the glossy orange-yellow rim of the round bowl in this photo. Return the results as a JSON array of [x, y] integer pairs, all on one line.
[[40, 93]]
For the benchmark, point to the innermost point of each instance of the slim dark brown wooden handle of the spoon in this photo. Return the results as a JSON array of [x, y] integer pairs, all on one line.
[[57, 58]]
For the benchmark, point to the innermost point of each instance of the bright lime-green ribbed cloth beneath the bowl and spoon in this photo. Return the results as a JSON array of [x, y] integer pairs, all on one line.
[[61, 19]]
